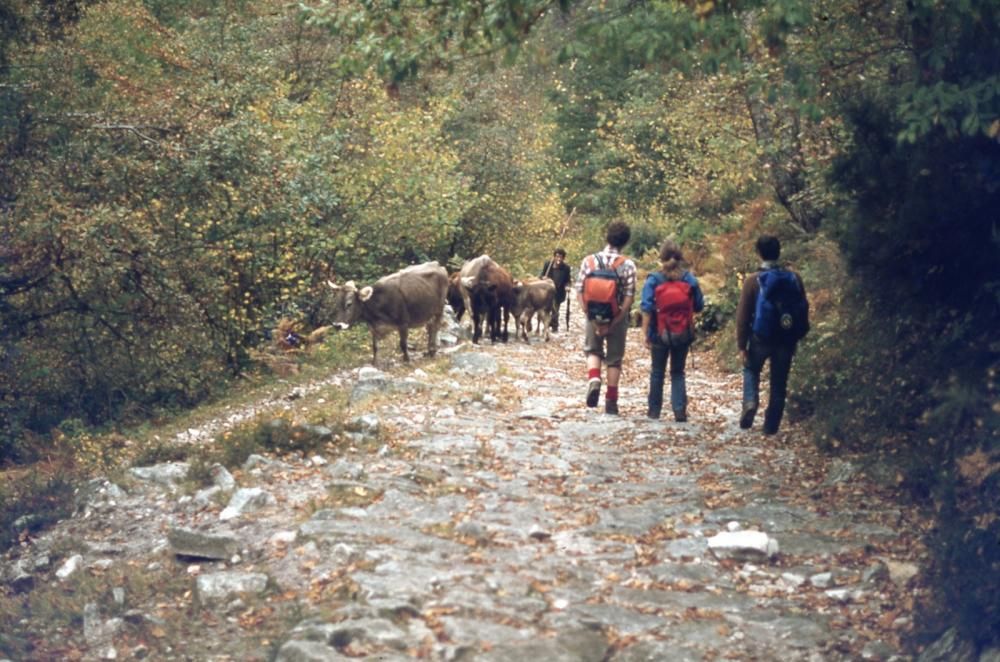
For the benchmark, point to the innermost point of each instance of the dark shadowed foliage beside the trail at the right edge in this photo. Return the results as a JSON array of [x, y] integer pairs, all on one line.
[[917, 225]]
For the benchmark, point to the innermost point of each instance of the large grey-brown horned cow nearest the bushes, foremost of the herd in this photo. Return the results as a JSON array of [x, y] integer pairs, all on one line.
[[401, 301]]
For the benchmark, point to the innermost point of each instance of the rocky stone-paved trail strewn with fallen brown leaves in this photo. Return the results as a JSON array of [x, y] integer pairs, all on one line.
[[481, 512]]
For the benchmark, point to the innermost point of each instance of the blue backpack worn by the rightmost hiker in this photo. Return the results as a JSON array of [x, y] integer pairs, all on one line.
[[782, 312]]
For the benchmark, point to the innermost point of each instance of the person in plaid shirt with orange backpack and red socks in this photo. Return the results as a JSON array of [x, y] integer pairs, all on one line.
[[605, 287]]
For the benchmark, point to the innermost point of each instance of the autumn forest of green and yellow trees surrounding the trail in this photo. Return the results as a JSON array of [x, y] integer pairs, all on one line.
[[176, 176]]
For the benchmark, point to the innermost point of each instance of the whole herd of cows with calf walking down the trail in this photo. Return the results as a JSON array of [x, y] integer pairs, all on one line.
[[416, 296]]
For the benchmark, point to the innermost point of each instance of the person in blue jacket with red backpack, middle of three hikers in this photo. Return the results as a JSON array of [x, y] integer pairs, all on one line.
[[670, 297]]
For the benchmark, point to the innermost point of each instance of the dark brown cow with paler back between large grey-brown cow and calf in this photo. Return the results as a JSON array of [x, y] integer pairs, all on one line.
[[487, 290]]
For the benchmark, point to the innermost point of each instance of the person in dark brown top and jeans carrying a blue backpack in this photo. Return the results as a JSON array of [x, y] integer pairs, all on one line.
[[772, 316]]
